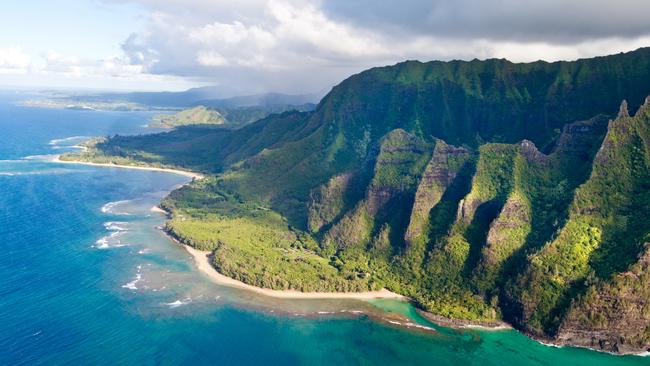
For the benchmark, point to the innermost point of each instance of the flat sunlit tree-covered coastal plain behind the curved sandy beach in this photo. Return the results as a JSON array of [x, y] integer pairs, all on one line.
[[253, 244]]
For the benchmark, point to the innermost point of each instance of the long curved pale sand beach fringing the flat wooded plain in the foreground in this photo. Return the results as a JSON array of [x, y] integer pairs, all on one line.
[[203, 264]]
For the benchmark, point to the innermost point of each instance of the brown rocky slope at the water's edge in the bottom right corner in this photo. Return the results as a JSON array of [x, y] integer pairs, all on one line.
[[613, 316]]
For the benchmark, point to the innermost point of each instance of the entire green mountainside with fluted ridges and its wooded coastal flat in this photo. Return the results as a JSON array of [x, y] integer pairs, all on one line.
[[484, 190]]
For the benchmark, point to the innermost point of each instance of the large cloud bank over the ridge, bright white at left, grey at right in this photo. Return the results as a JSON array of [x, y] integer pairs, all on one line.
[[309, 45]]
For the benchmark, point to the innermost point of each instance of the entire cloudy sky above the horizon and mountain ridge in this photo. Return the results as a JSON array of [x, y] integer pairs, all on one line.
[[290, 46]]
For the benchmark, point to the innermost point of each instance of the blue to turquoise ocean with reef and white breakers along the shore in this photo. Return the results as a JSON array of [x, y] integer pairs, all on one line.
[[87, 278]]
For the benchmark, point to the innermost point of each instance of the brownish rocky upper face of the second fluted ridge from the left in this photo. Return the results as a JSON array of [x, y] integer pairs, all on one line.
[[440, 172]]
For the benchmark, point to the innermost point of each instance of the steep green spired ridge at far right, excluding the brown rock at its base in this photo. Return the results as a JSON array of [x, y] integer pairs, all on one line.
[[604, 231]]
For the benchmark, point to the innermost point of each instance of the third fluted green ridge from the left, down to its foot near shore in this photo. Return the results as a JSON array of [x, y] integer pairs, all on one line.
[[455, 248]]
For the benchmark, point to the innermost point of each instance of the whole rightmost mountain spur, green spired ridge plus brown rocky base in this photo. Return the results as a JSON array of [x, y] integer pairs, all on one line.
[[598, 244]]
